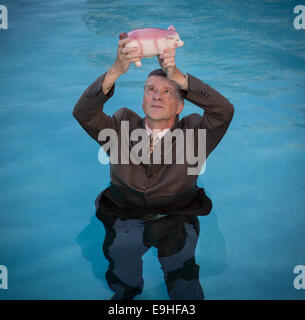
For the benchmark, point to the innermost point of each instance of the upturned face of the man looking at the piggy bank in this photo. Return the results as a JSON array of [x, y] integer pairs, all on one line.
[[161, 100]]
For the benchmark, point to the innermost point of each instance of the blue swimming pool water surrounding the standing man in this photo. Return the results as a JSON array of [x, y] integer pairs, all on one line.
[[50, 240]]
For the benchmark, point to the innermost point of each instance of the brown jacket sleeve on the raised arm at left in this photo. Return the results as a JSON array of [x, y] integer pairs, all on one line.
[[88, 110]]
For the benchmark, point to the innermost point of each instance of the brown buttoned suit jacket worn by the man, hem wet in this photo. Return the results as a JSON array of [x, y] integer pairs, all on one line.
[[144, 189]]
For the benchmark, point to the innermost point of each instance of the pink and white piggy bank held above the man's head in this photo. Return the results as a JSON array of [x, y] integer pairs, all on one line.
[[152, 41]]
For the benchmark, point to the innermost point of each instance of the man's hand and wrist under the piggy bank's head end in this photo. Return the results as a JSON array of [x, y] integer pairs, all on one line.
[[168, 64]]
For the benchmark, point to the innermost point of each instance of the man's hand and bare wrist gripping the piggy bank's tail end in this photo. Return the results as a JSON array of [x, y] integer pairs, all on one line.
[[125, 56]]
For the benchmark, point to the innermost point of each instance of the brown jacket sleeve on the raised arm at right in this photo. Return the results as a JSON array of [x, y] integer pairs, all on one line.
[[218, 111]]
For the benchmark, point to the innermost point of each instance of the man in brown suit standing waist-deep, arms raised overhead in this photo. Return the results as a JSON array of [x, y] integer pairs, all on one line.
[[153, 192]]
